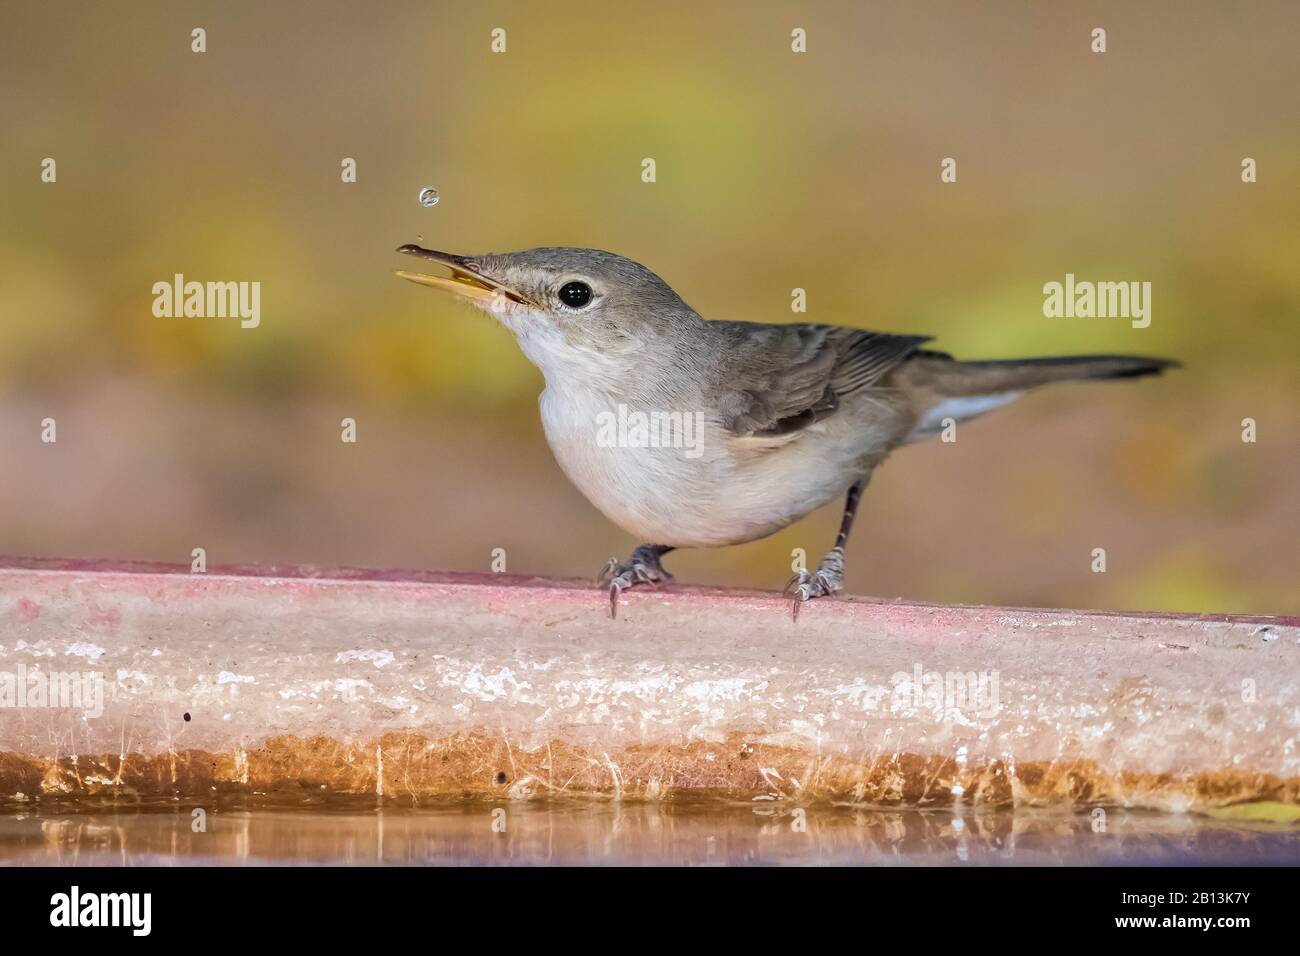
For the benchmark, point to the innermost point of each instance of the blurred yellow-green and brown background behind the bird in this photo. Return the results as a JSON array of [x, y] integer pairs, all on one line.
[[775, 171]]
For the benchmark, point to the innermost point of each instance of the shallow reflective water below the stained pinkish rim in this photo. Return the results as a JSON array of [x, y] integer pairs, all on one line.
[[534, 834]]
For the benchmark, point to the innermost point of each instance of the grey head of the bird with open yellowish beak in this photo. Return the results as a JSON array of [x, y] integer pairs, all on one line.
[[564, 305]]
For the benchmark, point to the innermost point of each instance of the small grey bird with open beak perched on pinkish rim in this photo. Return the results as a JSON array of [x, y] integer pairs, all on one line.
[[696, 434]]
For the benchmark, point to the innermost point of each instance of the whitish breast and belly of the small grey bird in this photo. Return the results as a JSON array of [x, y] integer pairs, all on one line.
[[717, 491]]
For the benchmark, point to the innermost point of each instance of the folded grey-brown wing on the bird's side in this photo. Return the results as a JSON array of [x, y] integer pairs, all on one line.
[[781, 379]]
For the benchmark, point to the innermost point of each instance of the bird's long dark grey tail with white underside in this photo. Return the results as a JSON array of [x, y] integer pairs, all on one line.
[[947, 390]]
